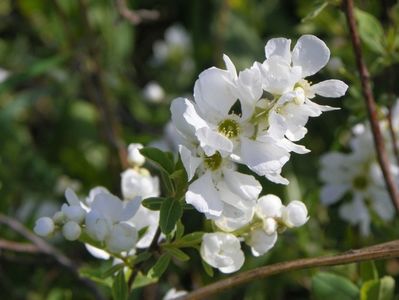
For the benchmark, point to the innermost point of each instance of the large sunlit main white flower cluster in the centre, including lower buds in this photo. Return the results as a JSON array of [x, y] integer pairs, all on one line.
[[251, 118]]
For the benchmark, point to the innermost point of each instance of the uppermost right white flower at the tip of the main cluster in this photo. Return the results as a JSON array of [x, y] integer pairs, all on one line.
[[283, 74]]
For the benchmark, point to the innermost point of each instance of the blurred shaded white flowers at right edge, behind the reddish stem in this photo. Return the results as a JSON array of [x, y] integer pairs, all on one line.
[[358, 174]]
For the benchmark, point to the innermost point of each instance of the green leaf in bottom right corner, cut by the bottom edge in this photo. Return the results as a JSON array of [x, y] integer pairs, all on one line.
[[378, 289]]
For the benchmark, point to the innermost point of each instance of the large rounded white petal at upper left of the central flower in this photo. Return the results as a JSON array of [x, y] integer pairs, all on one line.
[[213, 93]]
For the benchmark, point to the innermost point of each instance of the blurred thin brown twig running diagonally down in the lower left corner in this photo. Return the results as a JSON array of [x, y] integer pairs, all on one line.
[[49, 250]]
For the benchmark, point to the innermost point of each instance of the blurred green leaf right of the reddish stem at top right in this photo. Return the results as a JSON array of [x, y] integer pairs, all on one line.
[[371, 31]]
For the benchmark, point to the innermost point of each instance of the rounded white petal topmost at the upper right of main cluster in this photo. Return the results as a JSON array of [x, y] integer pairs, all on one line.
[[310, 53]]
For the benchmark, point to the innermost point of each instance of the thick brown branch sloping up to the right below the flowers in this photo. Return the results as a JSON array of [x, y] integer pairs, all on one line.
[[376, 252]]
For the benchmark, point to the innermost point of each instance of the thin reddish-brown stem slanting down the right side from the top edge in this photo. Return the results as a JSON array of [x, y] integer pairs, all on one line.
[[370, 104]]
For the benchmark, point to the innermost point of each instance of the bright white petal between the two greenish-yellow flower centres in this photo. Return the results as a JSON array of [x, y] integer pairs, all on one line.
[[211, 141]]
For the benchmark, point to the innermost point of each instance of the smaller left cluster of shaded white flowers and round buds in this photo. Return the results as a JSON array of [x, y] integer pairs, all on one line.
[[112, 224]]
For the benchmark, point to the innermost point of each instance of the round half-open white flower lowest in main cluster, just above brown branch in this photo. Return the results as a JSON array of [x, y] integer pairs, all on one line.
[[222, 251]]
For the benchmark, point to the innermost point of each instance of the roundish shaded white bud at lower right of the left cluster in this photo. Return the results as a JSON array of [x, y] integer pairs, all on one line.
[[123, 237]]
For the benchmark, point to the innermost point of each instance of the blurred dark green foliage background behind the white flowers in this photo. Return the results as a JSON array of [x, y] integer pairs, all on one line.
[[79, 81]]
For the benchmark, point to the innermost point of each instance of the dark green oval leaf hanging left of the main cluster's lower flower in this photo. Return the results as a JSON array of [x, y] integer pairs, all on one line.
[[171, 212]]
